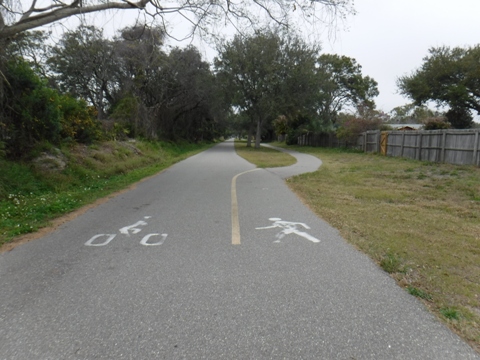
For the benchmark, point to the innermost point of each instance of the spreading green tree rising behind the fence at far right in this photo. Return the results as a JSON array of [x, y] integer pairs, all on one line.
[[448, 76]]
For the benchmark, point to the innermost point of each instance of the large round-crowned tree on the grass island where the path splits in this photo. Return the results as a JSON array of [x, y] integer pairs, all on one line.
[[268, 75]]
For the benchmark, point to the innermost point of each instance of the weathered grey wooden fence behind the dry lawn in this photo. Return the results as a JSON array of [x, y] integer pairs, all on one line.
[[461, 147]]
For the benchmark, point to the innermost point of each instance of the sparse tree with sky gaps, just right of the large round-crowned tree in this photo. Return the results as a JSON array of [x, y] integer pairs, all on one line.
[[342, 85]]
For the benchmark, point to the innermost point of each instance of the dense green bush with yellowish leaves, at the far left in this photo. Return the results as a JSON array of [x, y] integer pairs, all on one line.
[[33, 113]]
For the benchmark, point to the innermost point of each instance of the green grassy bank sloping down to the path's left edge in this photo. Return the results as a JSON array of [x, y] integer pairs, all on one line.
[[30, 196]]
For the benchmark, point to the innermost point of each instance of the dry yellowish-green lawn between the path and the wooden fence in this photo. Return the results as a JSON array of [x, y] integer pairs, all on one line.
[[419, 221]]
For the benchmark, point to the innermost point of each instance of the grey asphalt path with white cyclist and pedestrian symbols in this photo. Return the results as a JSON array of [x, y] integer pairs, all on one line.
[[153, 274]]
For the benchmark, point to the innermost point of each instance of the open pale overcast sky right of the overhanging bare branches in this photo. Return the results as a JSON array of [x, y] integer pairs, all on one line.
[[389, 38]]
